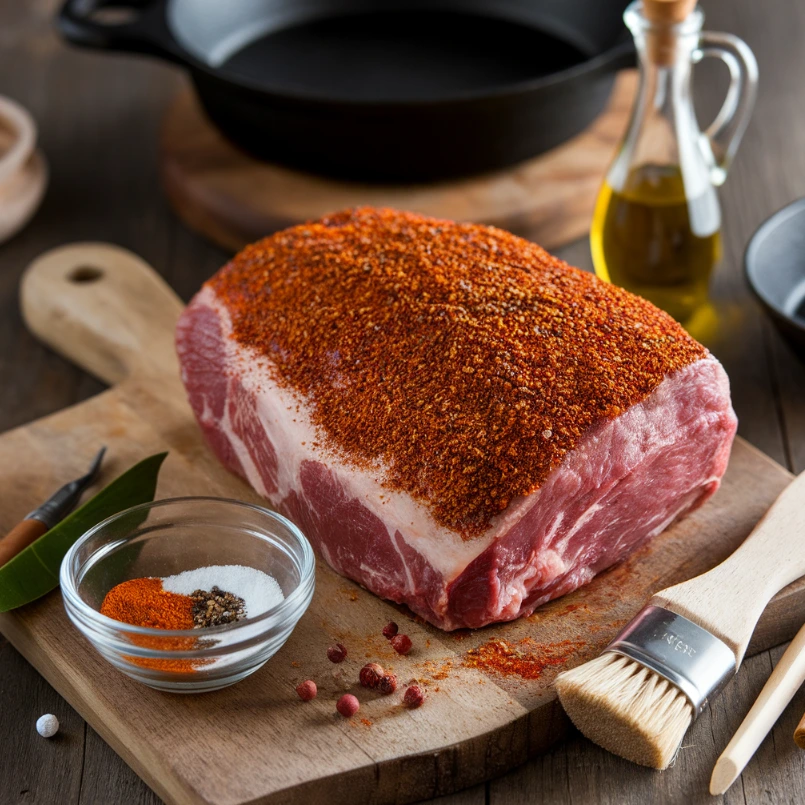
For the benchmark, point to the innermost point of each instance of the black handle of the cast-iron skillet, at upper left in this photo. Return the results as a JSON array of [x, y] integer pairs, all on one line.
[[146, 31]]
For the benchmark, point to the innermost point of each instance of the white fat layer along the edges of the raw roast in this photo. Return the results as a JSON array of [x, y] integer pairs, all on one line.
[[295, 438]]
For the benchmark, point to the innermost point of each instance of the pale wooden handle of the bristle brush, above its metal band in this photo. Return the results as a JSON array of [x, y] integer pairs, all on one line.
[[729, 599]]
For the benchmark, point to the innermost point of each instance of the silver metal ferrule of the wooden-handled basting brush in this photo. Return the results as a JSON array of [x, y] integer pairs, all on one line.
[[680, 651]]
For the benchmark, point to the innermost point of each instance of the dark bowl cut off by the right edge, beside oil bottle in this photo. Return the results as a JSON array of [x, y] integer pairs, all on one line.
[[775, 269]]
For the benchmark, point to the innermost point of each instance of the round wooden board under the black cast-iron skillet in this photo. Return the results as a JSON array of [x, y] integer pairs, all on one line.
[[233, 199]]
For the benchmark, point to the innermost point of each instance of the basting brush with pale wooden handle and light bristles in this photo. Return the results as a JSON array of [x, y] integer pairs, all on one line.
[[639, 697]]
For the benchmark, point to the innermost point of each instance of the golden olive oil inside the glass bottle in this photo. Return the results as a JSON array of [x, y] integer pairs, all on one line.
[[651, 239]]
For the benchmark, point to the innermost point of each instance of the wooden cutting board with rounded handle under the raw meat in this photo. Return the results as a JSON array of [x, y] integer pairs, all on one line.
[[256, 742]]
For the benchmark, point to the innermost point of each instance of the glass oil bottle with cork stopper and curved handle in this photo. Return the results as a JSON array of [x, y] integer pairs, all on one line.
[[656, 229]]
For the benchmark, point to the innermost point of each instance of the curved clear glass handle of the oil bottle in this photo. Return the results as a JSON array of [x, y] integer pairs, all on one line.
[[721, 138]]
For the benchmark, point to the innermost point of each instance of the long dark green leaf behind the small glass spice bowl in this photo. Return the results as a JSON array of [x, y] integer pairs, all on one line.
[[34, 571]]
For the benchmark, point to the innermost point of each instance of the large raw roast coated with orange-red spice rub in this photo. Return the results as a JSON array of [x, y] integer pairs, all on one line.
[[456, 419]]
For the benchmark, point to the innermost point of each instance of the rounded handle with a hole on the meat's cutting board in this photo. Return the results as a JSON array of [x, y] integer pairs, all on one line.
[[103, 308]]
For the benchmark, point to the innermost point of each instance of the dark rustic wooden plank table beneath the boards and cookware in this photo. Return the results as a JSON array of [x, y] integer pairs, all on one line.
[[99, 117]]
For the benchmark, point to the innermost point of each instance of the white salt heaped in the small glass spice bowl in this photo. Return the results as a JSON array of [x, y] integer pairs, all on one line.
[[258, 590]]
